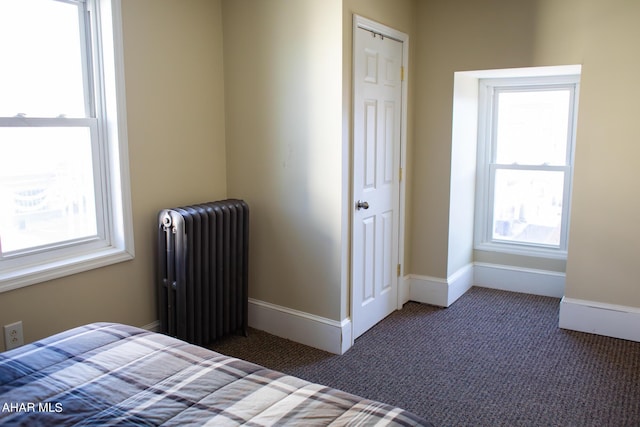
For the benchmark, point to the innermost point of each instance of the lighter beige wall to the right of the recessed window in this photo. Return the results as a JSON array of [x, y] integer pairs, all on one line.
[[605, 235]]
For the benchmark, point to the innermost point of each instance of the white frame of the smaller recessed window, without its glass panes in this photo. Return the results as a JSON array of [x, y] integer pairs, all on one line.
[[487, 167]]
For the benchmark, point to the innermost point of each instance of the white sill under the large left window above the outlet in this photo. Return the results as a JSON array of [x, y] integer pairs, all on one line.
[[29, 275]]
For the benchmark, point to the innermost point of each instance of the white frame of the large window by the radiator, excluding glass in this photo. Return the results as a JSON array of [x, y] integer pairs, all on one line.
[[115, 230]]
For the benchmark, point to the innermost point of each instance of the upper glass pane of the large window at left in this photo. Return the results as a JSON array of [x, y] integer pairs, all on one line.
[[42, 67]]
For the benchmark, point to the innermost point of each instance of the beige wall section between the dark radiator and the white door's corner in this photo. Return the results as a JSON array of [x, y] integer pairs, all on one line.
[[283, 69]]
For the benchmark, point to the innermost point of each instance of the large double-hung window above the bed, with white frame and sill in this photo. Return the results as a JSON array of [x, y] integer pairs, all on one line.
[[64, 200]]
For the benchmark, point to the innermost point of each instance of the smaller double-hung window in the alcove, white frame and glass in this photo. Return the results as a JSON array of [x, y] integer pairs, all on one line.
[[525, 164]]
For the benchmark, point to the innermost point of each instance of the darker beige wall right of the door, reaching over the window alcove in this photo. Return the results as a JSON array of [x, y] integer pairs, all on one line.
[[456, 35]]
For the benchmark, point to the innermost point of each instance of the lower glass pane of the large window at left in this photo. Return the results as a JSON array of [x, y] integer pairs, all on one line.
[[46, 187]]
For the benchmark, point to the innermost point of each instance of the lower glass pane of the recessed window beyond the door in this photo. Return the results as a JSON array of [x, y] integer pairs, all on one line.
[[528, 206]]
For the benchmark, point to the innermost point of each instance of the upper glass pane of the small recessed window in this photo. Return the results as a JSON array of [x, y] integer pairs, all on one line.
[[532, 127]]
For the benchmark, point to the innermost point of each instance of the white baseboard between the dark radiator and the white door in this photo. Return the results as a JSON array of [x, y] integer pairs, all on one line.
[[314, 331]]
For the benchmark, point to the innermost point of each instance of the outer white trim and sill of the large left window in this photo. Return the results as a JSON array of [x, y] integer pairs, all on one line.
[[119, 240]]
